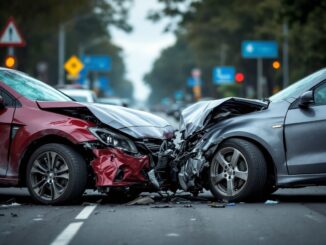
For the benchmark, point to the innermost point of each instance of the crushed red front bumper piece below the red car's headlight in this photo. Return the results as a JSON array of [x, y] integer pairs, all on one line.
[[115, 168]]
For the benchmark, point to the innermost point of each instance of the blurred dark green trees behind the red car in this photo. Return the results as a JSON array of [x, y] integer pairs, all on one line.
[[84, 21]]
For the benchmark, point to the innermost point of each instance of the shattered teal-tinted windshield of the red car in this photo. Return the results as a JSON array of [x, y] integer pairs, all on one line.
[[31, 88]]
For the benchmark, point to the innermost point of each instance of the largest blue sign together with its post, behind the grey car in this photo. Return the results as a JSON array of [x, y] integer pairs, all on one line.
[[259, 50]]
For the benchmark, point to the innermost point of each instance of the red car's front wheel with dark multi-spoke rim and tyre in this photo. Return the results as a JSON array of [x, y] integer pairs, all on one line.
[[56, 174]]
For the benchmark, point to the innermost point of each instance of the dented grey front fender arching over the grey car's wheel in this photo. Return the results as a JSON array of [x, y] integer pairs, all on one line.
[[269, 137]]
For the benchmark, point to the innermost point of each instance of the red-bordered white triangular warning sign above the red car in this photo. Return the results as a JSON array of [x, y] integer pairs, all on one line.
[[10, 36]]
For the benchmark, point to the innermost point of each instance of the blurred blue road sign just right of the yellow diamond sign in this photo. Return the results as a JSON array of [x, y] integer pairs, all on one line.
[[97, 62]]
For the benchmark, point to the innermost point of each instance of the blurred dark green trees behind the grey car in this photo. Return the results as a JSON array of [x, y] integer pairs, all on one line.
[[214, 30]]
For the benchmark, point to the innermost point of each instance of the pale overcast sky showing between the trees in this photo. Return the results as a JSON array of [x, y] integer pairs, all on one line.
[[143, 45]]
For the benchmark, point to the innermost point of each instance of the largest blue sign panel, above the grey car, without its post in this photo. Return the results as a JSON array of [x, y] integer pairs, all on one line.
[[259, 49]]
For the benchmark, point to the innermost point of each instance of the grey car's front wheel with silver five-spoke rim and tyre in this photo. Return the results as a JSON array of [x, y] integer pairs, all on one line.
[[238, 171]]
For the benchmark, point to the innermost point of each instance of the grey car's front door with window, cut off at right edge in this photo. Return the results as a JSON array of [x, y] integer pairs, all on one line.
[[305, 135]]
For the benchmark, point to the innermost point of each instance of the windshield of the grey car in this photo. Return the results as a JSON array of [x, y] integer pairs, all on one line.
[[296, 89]]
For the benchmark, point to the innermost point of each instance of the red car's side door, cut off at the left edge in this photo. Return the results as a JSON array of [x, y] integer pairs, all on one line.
[[6, 118]]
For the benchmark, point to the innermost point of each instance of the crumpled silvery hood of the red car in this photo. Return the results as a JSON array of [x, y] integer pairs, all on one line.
[[138, 124]]
